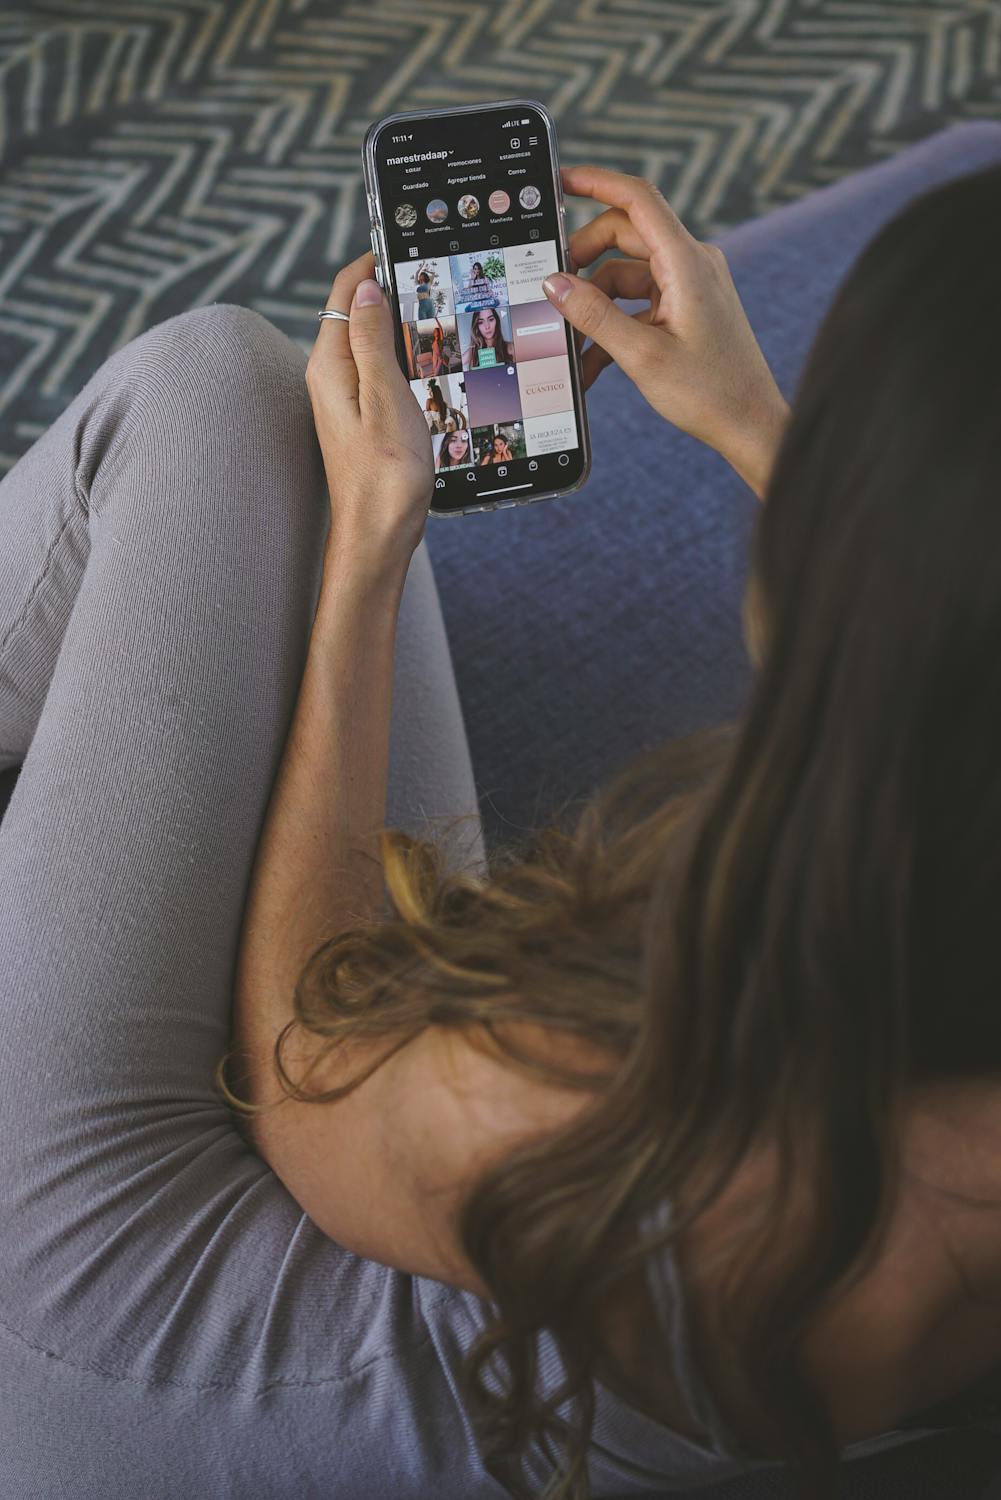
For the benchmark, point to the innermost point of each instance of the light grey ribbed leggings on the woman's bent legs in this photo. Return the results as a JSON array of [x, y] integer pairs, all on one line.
[[160, 568]]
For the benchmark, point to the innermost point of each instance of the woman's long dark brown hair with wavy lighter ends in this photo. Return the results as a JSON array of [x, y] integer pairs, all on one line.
[[777, 928]]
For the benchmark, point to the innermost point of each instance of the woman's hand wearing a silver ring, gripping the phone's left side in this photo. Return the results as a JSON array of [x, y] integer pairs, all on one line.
[[373, 434]]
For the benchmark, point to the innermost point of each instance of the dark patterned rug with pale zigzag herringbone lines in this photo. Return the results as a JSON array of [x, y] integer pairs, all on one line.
[[155, 157]]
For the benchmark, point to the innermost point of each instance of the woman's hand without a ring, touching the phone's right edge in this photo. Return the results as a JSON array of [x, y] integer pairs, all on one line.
[[693, 352]]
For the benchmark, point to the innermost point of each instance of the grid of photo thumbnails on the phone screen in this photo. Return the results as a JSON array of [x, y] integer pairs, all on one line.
[[487, 355]]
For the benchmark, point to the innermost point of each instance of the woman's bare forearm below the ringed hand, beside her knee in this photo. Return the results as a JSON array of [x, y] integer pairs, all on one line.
[[317, 866]]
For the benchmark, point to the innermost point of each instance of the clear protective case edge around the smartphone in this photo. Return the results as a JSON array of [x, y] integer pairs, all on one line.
[[382, 260]]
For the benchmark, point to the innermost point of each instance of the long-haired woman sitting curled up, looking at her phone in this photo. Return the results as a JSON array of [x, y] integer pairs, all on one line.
[[738, 950]]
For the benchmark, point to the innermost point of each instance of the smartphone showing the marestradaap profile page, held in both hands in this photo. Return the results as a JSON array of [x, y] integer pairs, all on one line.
[[467, 217]]
